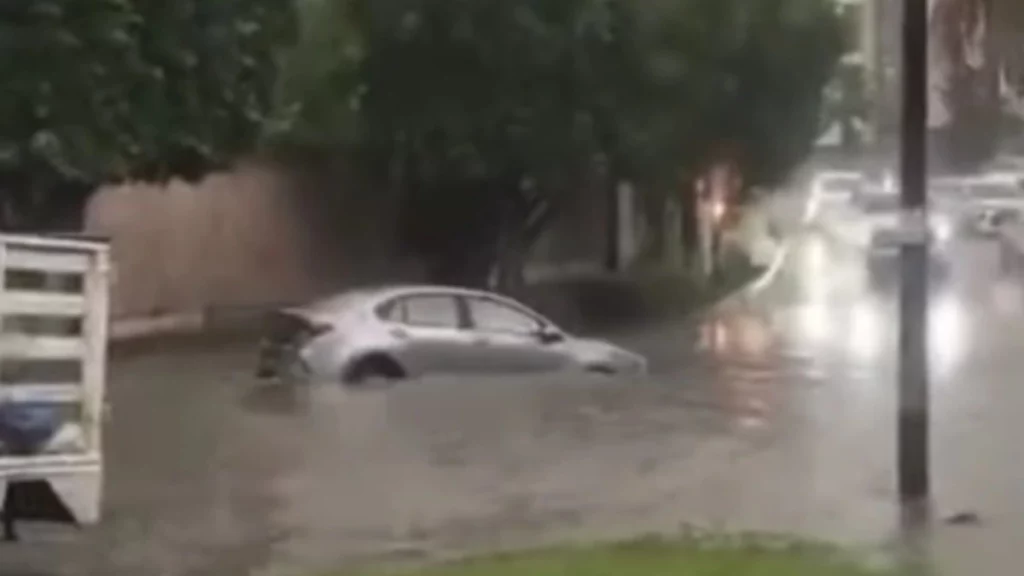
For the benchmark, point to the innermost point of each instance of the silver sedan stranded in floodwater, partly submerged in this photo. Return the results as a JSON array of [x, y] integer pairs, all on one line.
[[400, 333]]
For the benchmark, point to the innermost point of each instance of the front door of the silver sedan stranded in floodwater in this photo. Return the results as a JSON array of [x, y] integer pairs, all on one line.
[[507, 339]]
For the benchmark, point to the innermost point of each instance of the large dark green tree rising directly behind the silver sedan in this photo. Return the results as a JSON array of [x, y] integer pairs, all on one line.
[[484, 116]]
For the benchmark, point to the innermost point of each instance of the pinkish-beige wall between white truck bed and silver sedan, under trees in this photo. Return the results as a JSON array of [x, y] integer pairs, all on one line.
[[235, 239]]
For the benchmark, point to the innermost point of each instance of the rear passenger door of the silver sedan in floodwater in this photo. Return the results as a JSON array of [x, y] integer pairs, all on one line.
[[431, 335]]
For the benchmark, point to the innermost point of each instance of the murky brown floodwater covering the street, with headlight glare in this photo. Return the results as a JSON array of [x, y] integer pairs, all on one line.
[[775, 412]]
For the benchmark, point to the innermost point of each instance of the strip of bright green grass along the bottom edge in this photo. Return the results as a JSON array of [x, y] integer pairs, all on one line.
[[656, 559]]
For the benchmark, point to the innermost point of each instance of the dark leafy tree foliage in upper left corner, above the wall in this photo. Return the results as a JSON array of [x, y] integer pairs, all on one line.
[[108, 91]]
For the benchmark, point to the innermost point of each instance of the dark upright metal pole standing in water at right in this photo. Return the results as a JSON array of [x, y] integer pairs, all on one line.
[[913, 443]]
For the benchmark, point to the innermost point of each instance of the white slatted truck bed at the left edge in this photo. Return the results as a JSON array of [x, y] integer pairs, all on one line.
[[54, 333]]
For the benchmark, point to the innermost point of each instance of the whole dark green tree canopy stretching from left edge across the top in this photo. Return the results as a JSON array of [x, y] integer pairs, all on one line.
[[482, 115]]
